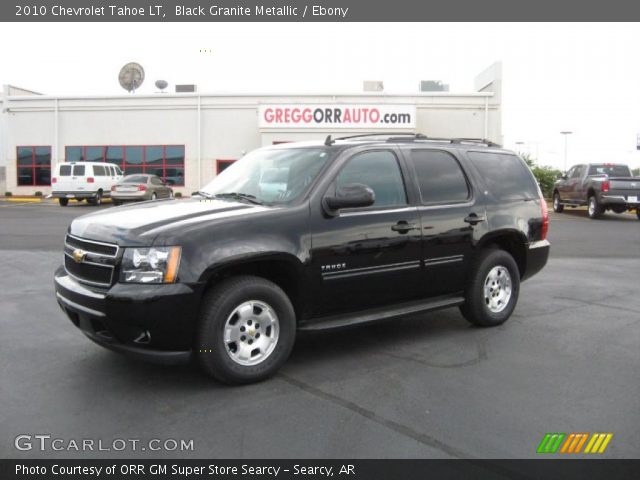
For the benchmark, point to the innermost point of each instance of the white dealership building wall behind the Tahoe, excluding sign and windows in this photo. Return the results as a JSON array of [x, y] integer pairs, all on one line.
[[228, 124]]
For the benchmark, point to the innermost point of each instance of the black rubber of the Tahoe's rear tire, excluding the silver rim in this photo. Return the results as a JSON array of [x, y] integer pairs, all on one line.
[[479, 313]]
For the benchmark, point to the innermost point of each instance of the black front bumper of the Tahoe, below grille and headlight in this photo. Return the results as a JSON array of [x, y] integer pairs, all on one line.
[[151, 322]]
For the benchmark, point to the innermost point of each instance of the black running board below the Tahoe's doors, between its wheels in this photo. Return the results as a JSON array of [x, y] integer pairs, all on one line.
[[381, 313]]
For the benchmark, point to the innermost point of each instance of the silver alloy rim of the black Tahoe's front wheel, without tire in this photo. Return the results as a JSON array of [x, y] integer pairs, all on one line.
[[251, 333]]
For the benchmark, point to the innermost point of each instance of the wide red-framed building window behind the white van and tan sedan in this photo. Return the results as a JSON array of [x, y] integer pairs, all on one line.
[[165, 161]]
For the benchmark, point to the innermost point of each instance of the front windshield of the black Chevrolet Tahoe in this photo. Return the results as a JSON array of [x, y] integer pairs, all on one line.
[[271, 176]]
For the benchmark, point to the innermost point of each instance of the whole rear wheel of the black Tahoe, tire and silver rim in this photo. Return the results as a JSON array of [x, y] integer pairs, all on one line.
[[492, 265]]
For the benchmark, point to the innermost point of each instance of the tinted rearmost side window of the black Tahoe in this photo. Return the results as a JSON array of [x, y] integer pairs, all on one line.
[[507, 177]]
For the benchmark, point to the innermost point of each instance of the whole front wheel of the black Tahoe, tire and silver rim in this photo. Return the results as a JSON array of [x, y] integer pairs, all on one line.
[[234, 309]]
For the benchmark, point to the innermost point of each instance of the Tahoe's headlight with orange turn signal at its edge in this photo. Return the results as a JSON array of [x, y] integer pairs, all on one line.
[[150, 265]]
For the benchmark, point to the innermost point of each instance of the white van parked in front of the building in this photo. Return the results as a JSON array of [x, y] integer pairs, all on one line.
[[84, 180]]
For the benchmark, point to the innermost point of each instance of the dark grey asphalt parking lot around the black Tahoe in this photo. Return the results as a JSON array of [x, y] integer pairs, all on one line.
[[424, 387]]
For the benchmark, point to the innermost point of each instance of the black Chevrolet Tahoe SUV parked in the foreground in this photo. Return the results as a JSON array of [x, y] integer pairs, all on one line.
[[307, 236]]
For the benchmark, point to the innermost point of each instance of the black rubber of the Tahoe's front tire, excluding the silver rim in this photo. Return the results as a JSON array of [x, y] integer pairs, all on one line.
[[209, 346]]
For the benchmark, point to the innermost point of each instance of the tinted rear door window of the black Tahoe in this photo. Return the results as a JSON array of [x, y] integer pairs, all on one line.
[[440, 177]]
